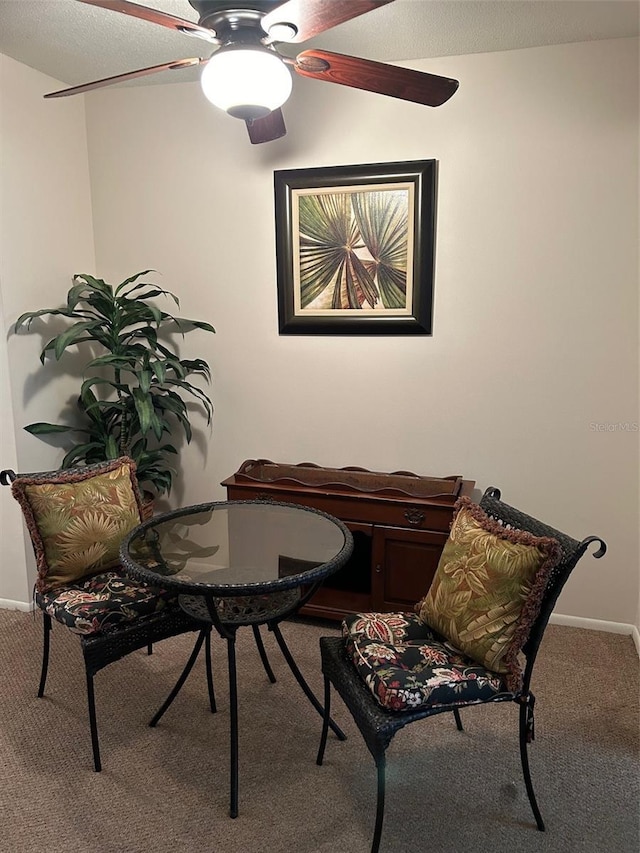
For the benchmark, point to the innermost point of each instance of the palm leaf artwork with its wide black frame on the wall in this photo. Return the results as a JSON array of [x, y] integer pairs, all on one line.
[[355, 249]]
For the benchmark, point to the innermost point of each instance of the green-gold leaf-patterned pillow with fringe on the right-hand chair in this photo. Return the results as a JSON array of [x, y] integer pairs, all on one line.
[[487, 589]]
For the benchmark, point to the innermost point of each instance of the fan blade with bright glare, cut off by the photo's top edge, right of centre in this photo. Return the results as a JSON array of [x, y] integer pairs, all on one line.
[[311, 17]]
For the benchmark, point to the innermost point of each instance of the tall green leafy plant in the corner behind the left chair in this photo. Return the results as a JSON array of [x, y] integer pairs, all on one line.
[[134, 386]]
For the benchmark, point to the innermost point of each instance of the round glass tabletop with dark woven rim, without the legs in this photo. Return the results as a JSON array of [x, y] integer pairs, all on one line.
[[232, 548]]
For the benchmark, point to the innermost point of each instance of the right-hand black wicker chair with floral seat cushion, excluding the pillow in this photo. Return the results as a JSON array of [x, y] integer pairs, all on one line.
[[379, 724]]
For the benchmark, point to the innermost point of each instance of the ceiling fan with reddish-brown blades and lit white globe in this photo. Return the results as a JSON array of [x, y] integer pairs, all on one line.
[[248, 77]]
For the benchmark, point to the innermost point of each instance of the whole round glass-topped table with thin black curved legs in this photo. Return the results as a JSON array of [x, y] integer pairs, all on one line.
[[233, 564]]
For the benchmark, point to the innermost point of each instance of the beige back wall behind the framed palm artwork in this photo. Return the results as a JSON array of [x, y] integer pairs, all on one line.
[[535, 325]]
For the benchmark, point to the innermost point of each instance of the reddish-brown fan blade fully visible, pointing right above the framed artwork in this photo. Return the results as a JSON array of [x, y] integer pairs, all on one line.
[[403, 83]]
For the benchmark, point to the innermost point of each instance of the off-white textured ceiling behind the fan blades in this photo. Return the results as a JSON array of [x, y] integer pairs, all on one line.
[[76, 43]]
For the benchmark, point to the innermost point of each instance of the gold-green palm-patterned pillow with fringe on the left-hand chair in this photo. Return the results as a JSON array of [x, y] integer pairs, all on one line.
[[78, 518]]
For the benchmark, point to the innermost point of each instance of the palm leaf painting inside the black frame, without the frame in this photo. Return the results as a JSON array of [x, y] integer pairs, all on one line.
[[353, 249]]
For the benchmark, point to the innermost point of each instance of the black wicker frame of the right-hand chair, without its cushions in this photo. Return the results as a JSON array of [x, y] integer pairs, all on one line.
[[379, 725]]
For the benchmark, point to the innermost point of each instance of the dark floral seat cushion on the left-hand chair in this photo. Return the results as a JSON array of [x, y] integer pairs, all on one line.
[[99, 603]]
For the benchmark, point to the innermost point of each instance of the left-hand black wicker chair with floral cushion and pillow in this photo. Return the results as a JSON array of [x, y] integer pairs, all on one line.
[[112, 614]]
